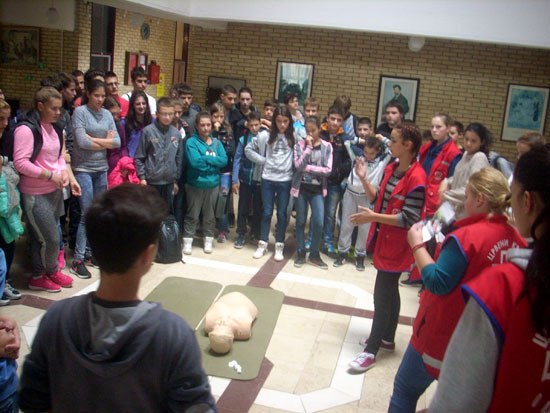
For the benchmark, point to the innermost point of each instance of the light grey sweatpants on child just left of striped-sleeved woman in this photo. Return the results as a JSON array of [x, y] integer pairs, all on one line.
[[350, 205]]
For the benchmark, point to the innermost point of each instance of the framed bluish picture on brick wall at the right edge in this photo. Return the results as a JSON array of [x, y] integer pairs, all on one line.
[[525, 111]]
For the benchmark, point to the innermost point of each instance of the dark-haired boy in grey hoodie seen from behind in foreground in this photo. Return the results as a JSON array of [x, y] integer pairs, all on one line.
[[109, 351]]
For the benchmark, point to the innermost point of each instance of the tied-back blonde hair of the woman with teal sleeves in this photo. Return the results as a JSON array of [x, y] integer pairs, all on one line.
[[493, 185]]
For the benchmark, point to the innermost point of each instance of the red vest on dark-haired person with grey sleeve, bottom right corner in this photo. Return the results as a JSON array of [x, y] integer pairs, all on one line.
[[522, 382]]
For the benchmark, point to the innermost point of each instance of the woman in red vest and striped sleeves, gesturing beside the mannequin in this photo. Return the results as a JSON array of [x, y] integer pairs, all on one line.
[[400, 204]]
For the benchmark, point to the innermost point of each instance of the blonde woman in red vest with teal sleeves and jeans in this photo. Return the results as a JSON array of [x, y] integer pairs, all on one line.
[[480, 241]]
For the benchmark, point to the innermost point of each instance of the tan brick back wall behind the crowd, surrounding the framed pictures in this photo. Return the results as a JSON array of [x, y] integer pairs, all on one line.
[[467, 80]]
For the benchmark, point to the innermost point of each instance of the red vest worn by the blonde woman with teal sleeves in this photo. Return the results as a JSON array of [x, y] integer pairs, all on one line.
[[482, 239]]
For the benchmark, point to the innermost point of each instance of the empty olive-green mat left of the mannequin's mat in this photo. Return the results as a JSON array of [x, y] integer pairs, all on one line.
[[186, 297]]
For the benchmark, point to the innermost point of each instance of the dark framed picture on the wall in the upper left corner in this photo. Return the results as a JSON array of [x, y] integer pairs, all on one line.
[[19, 45]]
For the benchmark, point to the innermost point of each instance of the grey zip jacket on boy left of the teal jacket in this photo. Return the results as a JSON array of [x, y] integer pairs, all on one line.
[[159, 154]]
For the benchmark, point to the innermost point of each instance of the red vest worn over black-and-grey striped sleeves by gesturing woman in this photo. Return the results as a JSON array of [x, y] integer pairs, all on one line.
[[391, 249]]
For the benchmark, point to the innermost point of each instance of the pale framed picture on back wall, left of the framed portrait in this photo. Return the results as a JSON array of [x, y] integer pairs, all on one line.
[[294, 78]]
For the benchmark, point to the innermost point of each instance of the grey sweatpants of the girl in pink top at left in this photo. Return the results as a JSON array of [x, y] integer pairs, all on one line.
[[42, 214]]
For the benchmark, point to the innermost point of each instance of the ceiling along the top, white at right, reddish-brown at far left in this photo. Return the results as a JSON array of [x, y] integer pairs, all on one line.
[[511, 22]]
